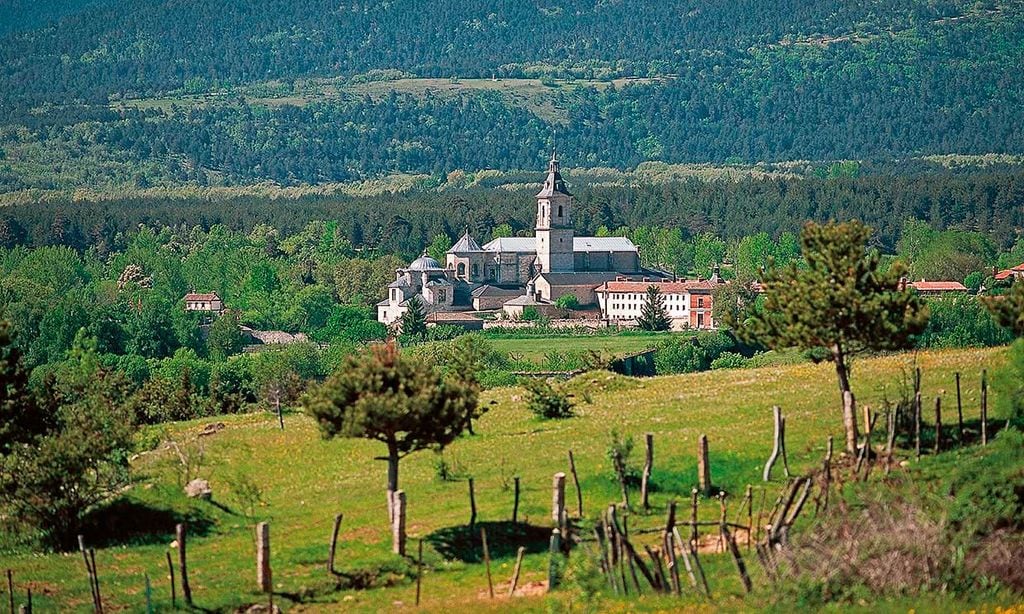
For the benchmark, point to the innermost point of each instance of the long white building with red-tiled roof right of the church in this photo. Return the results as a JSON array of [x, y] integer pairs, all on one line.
[[689, 303]]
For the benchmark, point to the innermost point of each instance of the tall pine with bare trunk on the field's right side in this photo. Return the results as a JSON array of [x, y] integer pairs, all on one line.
[[841, 302]]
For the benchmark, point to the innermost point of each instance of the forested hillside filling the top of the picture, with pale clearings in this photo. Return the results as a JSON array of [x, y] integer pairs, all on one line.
[[228, 93]]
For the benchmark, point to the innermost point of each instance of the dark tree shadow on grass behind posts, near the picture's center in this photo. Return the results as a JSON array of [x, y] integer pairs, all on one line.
[[504, 539]]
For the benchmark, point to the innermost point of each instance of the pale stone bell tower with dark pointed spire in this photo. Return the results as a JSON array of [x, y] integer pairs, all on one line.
[[554, 224]]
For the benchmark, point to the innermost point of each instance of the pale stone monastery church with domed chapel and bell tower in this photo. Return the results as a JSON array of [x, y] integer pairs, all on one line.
[[519, 271]]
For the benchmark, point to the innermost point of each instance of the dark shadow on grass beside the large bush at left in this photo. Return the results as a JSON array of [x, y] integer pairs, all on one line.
[[130, 522]]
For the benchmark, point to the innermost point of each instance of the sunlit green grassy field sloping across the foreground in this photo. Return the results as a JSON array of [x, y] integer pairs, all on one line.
[[306, 481]]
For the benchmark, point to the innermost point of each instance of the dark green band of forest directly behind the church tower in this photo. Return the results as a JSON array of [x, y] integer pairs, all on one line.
[[989, 203]]
